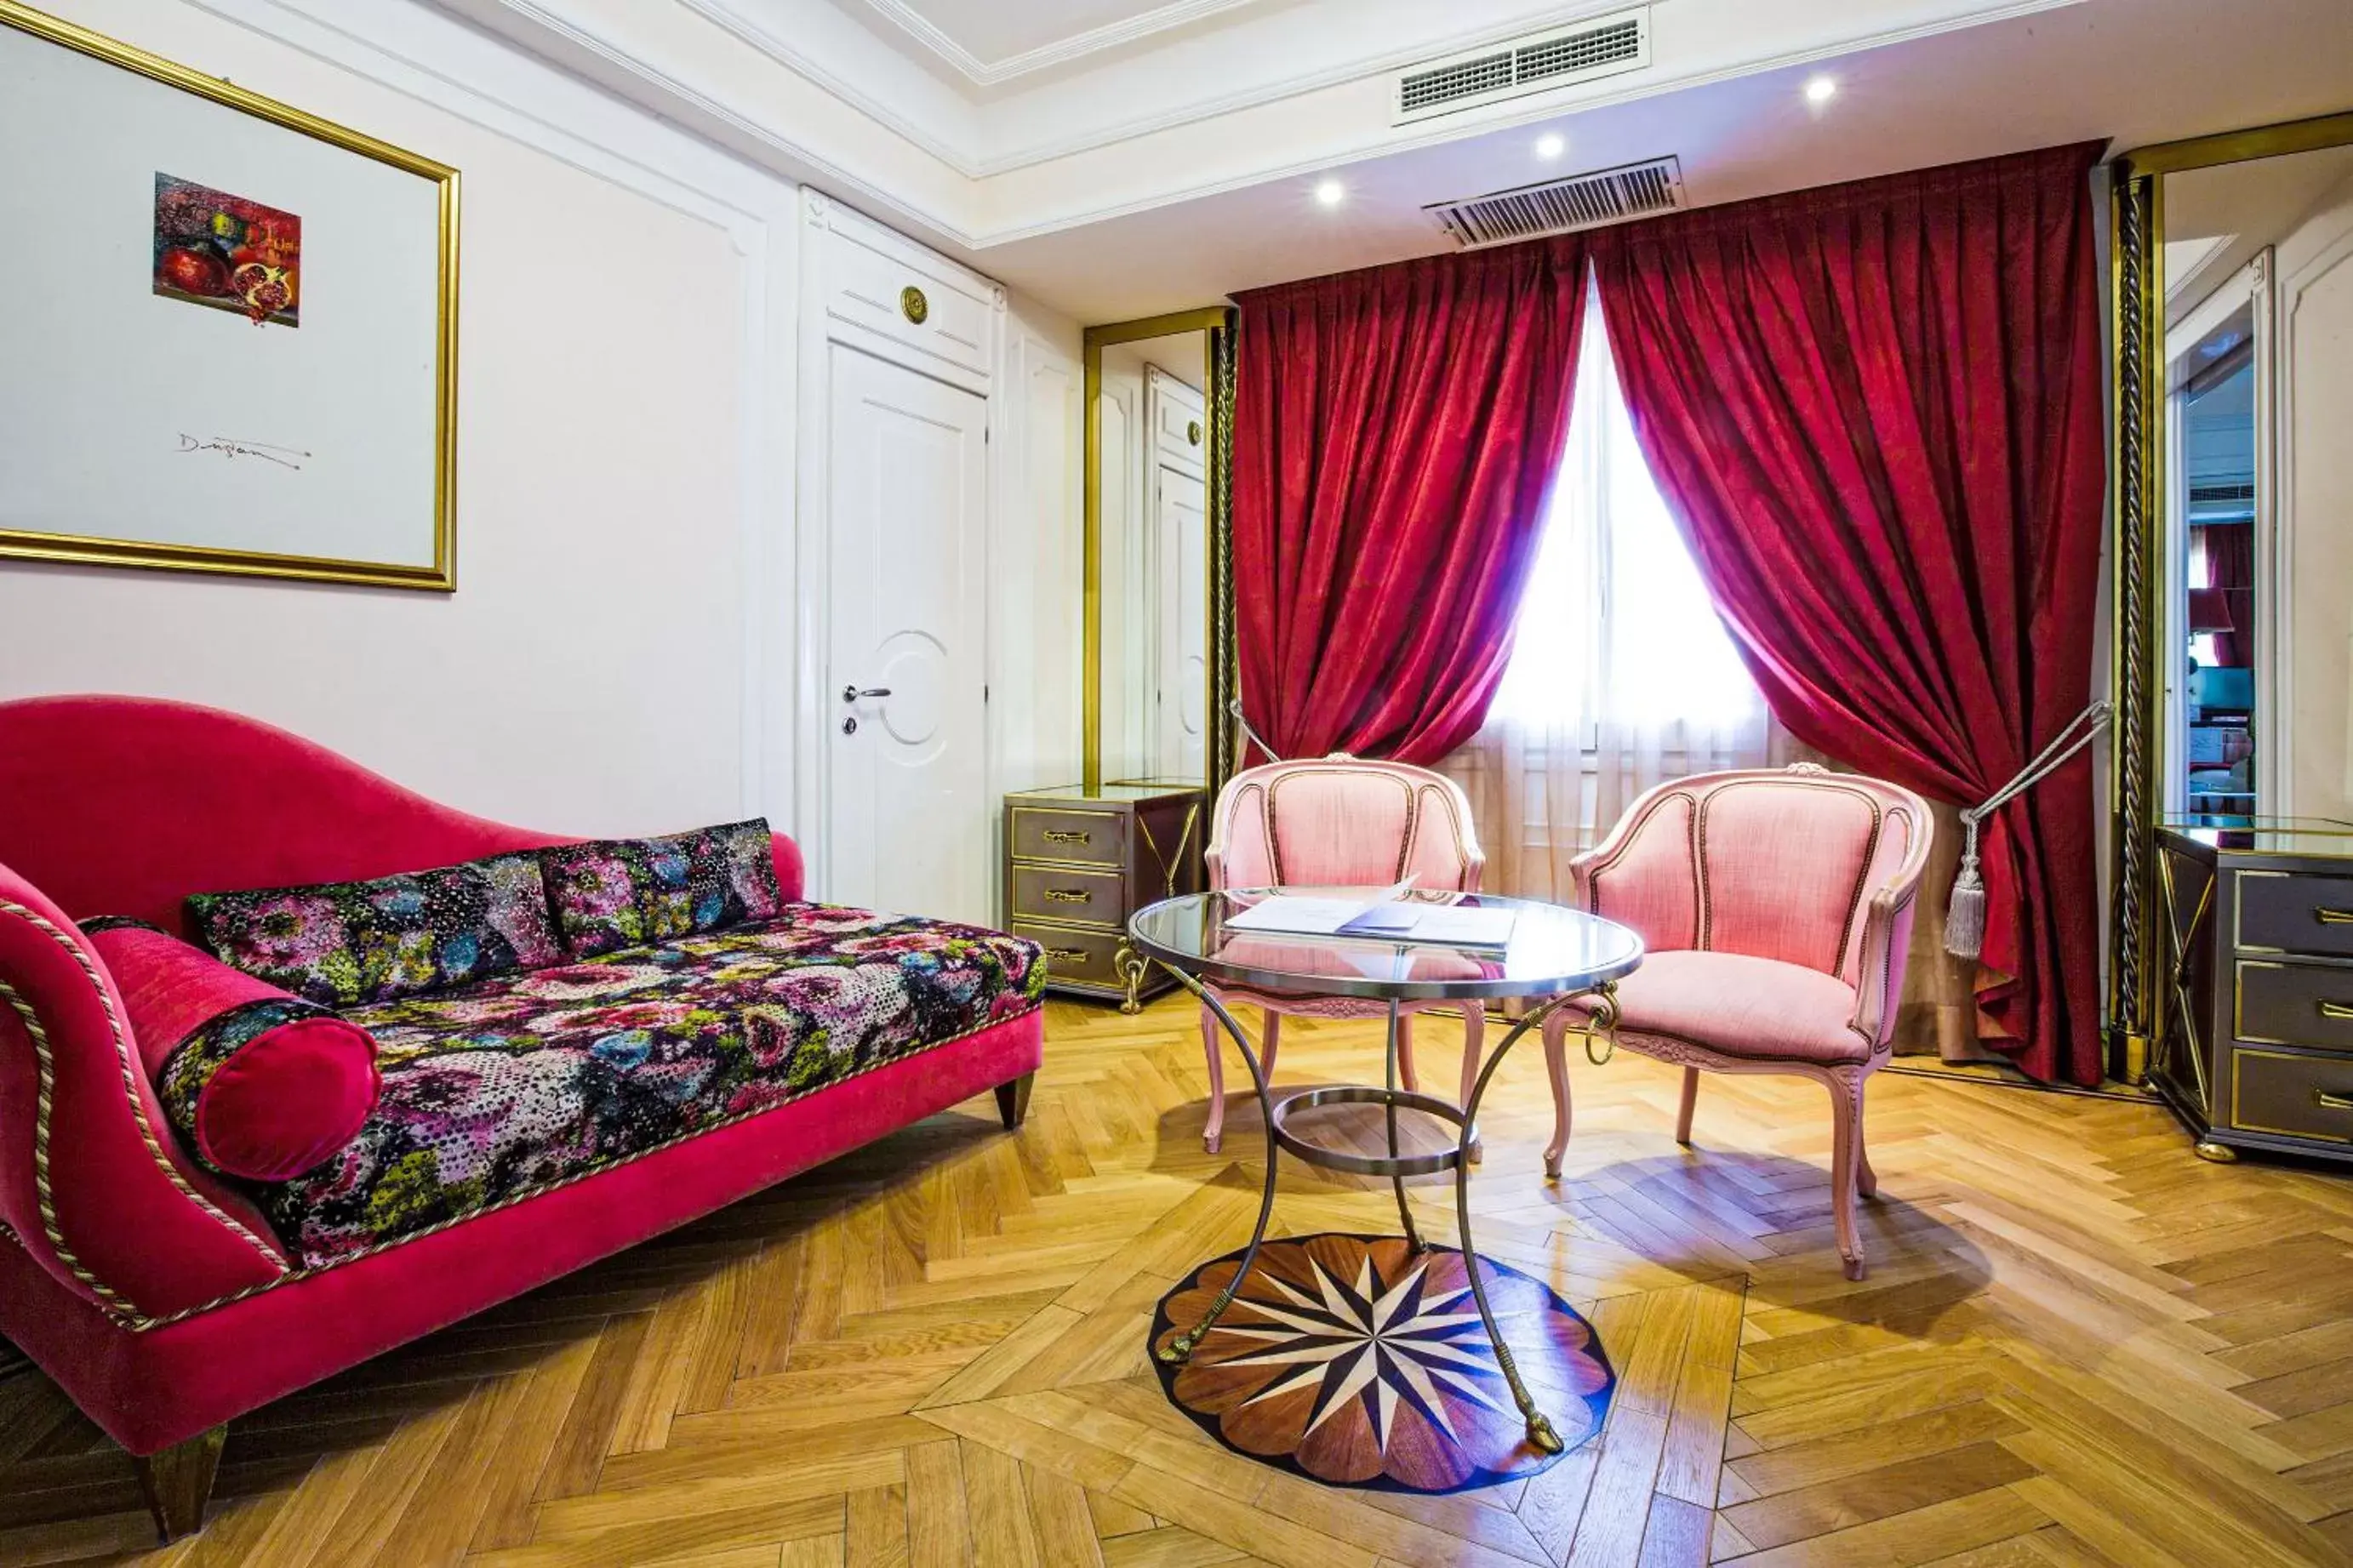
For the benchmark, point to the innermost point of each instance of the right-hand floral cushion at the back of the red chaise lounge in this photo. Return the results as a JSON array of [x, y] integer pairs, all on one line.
[[636, 892]]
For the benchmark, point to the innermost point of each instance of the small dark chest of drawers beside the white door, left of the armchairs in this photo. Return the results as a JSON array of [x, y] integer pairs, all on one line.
[[1079, 864]]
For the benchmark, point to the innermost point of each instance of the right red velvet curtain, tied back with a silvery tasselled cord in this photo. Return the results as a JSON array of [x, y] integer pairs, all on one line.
[[1877, 413]]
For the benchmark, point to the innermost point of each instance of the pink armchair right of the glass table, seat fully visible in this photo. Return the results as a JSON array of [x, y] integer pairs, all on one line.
[[1778, 909]]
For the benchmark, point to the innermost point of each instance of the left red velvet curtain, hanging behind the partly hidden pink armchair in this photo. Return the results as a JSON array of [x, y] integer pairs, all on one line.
[[1397, 436]]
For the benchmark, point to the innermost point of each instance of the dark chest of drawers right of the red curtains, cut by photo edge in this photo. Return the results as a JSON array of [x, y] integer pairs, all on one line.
[[2255, 1045]]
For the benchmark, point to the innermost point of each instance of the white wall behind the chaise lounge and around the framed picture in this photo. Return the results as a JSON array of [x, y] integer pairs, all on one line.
[[622, 645]]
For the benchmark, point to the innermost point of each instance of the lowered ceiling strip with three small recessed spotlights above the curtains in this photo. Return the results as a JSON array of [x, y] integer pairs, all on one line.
[[2124, 72]]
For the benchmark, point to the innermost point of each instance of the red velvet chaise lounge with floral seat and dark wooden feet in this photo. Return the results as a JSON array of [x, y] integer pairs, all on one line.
[[175, 1252]]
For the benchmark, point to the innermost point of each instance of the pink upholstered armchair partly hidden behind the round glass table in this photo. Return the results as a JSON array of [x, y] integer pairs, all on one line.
[[1340, 822]]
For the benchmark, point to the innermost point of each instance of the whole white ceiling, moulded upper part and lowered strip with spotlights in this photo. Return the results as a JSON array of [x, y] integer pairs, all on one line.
[[1116, 159]]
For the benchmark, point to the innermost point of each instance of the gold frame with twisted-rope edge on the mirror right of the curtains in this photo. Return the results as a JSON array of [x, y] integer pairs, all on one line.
[[2138, 547]]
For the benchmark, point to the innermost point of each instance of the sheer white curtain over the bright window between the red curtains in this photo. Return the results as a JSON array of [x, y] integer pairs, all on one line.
[[1620, 671]]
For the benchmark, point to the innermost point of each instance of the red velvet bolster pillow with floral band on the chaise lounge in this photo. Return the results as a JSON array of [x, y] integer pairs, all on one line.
[[260, 1083]]
